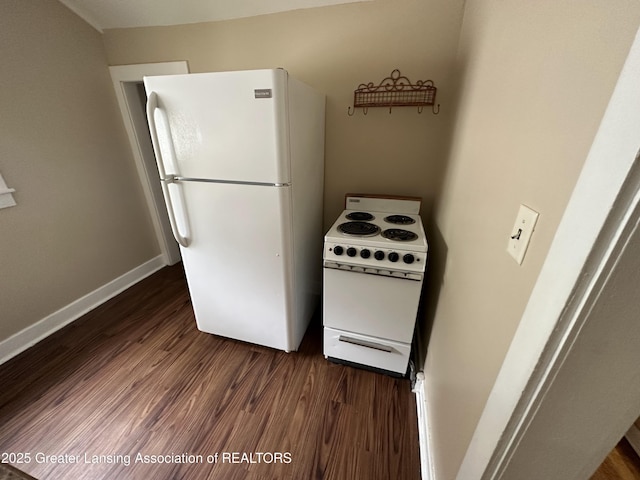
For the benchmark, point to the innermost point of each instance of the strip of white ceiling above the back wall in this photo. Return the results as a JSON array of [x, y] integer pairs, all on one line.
[[104, 14]]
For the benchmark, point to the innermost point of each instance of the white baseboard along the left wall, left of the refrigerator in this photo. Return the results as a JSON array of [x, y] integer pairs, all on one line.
[[31, 335]]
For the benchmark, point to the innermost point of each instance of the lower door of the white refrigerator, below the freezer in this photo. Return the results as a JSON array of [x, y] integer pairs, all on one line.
[[239, 263]]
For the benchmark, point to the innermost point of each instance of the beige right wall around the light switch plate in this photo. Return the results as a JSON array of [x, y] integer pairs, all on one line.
[[535, 78]]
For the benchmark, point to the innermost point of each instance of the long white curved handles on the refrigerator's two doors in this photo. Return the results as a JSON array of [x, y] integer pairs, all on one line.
[[152, 106]]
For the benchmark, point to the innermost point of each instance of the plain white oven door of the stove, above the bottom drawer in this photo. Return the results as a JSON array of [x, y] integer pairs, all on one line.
[[369, 304]]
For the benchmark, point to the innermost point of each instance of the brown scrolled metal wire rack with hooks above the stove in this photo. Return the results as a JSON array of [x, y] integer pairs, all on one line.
[[395, 91]]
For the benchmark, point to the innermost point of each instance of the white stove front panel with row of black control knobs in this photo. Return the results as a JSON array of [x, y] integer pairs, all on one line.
[[392, 259]]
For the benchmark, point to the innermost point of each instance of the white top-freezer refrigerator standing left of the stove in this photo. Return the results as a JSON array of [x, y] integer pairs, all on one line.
[[241, 161]]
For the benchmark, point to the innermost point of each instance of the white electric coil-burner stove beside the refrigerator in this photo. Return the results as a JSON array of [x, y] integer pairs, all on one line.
[[375, 256]]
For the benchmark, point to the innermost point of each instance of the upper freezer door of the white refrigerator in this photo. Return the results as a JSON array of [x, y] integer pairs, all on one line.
[[228, 126]]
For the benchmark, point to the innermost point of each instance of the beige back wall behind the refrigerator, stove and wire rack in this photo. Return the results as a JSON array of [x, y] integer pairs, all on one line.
[[335, 49]]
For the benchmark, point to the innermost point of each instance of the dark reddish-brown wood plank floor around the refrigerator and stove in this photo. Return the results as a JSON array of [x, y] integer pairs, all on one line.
[[136, 377]]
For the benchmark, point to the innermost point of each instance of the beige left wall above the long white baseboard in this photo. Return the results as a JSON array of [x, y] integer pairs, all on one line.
[[80, 220]]
